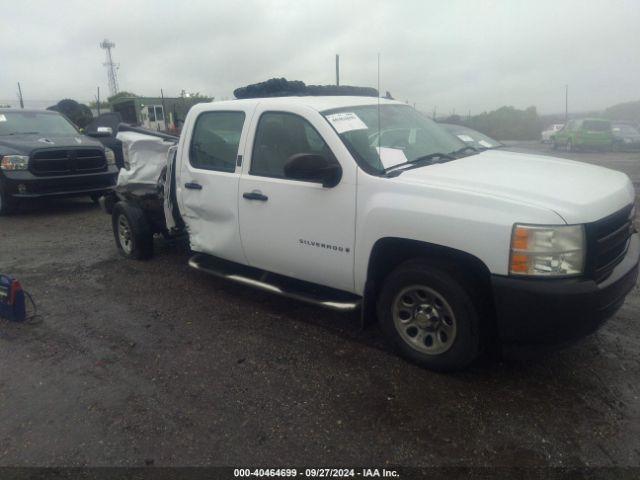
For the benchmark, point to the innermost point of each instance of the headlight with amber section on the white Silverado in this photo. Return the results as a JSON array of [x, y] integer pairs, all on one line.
[[540, 250]]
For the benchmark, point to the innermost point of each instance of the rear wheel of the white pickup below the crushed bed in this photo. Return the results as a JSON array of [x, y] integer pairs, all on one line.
[[132, 232]]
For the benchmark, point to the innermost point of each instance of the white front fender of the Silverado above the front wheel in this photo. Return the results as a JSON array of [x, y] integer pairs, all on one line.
[[467, 221]]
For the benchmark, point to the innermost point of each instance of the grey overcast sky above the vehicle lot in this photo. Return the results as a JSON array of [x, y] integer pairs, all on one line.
[[470, 55]]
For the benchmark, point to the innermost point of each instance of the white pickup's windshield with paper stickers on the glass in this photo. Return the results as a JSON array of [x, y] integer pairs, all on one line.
[[403, 135]]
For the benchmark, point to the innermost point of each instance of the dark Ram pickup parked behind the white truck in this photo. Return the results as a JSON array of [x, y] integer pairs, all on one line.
[[42, 154]]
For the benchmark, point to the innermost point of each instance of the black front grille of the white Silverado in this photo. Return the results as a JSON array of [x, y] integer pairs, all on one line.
[[607, 243]]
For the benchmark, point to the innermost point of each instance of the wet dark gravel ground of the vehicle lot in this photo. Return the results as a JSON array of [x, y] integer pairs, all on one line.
[[140, 363]]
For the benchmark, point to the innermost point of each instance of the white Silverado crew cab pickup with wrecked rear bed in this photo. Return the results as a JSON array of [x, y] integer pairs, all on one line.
[[355, 202]]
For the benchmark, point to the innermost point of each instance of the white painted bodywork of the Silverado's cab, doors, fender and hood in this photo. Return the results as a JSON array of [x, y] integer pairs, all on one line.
[[470, 204]]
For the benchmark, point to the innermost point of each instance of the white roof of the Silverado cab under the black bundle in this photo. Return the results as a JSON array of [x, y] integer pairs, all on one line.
[[319, 103]]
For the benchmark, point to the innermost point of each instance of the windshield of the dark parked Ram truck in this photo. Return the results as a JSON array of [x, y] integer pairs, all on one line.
[[40, 123]]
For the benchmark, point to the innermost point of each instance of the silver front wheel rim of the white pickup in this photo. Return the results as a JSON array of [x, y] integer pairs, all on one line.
[[424, 320]]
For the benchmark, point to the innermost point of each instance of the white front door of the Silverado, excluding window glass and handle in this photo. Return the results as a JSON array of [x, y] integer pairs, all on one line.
[[285, 234]]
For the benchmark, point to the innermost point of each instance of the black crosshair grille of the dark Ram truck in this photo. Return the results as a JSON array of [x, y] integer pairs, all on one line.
[[67, 161]]
